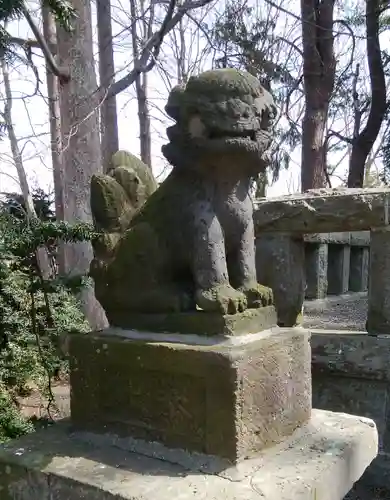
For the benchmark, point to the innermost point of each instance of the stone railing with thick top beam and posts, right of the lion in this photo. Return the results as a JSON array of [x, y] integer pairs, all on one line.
[[298, 252]]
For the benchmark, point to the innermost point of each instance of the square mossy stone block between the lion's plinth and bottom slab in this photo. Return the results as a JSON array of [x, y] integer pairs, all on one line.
[[224, 397]]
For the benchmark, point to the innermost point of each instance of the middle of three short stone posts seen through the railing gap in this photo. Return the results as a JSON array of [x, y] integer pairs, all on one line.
[[338, 269]]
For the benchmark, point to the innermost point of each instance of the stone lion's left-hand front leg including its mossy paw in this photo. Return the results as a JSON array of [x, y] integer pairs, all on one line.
[[213, 291]]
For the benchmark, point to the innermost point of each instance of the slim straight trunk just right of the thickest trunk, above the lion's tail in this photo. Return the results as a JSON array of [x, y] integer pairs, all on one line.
[[108, 117]]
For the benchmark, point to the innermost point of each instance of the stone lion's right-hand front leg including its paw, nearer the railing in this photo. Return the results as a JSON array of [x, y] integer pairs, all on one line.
[[242, 270]]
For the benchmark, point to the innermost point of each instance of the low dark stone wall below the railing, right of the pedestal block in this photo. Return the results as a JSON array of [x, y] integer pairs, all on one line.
[[351, 374]]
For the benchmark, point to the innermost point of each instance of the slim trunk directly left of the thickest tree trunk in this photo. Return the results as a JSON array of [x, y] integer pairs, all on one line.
[[49, 33]]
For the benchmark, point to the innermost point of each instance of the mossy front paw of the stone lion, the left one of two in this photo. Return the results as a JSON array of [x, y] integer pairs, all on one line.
[[223, 299]]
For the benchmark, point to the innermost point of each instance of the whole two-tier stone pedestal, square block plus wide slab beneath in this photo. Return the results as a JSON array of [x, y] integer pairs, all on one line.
[[162, 416]]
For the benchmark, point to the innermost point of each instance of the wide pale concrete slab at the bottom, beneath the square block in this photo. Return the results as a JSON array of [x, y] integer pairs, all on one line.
[[322, 460]]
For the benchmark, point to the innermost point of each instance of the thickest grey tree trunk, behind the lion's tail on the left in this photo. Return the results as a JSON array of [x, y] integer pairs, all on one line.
[[81, 153]]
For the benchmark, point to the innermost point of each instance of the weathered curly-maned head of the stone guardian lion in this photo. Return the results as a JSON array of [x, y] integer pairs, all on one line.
[[223, 117]]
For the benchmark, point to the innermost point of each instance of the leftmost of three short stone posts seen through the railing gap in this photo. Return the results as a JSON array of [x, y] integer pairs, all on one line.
[[316, 257]]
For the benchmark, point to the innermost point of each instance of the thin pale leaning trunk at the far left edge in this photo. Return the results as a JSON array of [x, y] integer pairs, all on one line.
[[42, 256]]
